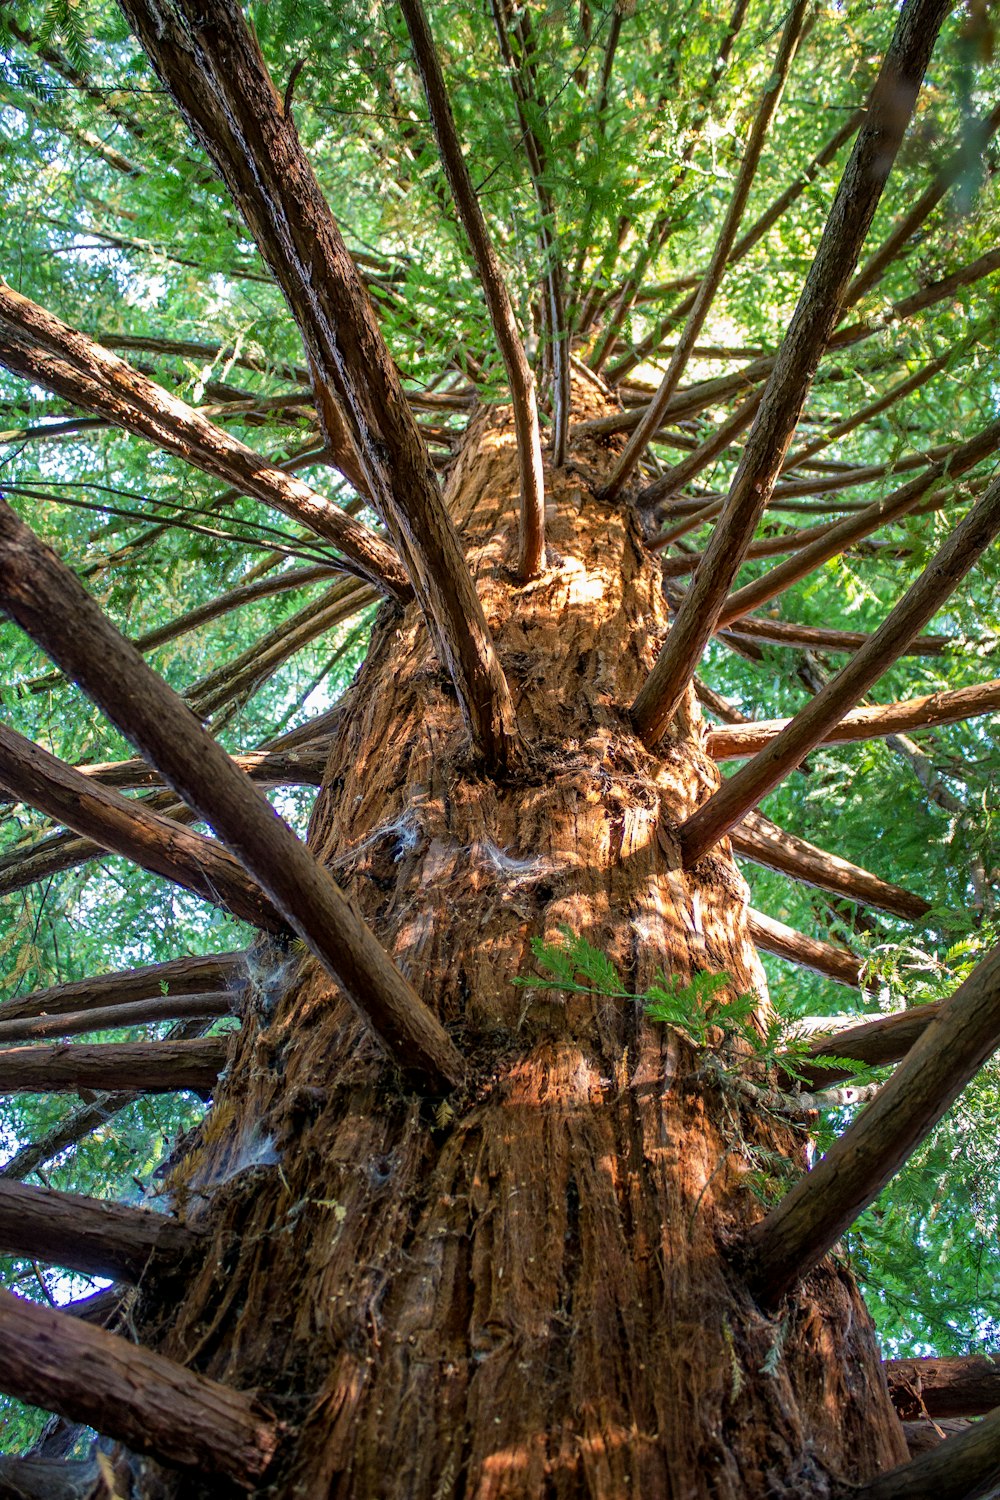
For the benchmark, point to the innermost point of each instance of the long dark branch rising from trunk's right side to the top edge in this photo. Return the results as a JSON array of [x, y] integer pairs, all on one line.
[[795, 368]]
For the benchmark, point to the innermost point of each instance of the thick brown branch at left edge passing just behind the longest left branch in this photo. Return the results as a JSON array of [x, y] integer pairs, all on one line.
[[125, 827]]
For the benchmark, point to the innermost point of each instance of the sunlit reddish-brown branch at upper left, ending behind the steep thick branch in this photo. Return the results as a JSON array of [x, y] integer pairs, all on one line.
[[41, 349]]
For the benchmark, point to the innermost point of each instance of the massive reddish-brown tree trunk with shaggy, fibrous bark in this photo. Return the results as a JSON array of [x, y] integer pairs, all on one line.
[[527, 1289]]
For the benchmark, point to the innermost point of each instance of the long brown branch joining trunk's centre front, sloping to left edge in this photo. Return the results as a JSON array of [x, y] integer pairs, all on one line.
[[52, 605]]
